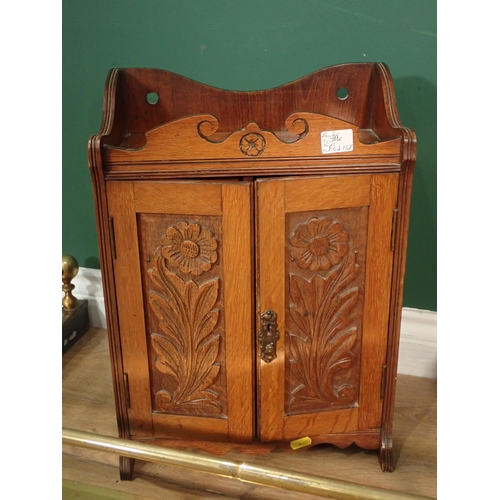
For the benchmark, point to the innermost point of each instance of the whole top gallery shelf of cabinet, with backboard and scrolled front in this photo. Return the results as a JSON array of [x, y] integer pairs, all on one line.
[[161, 120]]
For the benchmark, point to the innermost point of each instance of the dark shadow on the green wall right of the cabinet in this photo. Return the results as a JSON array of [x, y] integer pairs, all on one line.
[[417, 106]]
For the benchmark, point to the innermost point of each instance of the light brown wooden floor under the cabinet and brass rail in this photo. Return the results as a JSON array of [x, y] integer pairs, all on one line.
[[88, 405]]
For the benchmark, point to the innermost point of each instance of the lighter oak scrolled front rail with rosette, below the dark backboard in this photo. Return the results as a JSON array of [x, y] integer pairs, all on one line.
[[183, 139]]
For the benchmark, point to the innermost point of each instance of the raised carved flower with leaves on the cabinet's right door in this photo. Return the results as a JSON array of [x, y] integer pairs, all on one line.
[[323, 334]]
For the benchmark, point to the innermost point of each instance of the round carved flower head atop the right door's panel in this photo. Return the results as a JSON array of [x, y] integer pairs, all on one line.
[[318, 244]]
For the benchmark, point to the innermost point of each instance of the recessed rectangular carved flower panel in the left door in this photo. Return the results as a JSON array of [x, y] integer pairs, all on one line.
[[183, 296]]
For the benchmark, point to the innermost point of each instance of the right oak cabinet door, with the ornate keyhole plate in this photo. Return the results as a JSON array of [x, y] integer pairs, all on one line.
[[324, 267]]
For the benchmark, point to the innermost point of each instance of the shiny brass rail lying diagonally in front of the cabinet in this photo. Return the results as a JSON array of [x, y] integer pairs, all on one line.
[[266, 476]]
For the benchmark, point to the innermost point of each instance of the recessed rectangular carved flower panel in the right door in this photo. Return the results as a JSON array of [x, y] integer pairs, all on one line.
[[325, 286]]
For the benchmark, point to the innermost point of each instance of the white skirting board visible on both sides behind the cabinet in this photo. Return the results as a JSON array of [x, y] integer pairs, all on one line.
[[418, 343]]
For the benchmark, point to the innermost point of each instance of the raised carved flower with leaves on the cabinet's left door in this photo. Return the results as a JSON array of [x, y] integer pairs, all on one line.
[[188, 345]]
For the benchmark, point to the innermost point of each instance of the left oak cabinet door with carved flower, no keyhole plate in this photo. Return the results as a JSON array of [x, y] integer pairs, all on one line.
[[184, 292]]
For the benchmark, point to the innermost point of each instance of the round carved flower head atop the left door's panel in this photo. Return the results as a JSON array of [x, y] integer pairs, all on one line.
[[189, 247]]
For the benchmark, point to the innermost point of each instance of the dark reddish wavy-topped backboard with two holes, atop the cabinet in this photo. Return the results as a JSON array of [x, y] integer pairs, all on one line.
[[180, 97]]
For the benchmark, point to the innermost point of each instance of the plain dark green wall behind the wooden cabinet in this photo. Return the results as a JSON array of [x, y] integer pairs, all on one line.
[[249, 45]]
